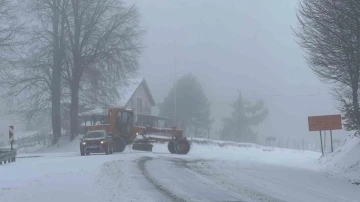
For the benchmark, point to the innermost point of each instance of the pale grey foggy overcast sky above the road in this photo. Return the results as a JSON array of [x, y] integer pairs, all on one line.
[[235, 44]]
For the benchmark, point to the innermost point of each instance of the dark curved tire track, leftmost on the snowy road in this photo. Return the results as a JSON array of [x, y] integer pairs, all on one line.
[[158, 186]]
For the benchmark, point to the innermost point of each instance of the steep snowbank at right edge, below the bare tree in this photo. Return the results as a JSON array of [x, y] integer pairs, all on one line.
[[345, 161]]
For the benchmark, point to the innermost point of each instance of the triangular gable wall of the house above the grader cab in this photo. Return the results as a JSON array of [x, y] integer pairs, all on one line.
[[140, 101]]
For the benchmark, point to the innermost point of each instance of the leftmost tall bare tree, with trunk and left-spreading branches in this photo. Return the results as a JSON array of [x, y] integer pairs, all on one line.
[[35, 74]]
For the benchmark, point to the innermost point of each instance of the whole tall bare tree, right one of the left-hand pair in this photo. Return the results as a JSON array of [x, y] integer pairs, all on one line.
[[103, 38]]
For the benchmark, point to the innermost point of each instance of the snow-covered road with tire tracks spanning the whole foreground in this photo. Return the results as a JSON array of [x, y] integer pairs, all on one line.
[[159, 176]]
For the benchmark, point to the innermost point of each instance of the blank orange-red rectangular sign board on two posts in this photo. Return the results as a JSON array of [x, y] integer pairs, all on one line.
[[328, 122]]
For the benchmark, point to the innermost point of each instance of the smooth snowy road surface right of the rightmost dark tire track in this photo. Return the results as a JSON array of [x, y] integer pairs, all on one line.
[[274, 183]]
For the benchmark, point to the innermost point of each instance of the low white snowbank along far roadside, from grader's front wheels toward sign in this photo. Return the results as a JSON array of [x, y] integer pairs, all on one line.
[[232, 151]]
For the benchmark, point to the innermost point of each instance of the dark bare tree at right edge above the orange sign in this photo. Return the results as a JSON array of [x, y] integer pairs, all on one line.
[[329, 33]]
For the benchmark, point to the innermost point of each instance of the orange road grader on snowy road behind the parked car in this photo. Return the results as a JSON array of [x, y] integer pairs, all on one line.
[[120, 126]]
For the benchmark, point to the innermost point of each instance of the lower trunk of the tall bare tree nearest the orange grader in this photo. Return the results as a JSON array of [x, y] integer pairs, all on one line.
[[74, 108]]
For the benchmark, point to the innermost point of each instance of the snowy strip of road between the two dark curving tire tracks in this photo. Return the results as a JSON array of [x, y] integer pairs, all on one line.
[[189, 185]]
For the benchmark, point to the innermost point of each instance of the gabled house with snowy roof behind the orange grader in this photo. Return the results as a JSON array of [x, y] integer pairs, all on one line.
[[135, 95]]
